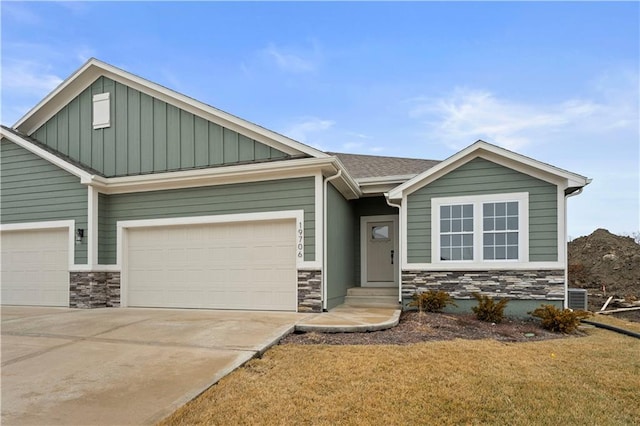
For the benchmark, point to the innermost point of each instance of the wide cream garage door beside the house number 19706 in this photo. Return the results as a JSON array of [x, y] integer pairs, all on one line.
[[248, 265]]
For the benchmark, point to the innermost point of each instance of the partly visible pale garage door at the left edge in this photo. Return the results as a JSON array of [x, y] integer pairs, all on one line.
[[35, 267]]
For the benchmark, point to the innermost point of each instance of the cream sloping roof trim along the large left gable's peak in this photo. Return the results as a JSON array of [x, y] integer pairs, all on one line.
[[94, 68]]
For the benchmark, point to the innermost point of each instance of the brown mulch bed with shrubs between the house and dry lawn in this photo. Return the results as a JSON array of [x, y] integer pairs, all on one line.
[[415, 327]]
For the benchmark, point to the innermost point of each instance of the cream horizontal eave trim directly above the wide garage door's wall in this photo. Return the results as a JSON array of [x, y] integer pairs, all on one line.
[[212, 176]]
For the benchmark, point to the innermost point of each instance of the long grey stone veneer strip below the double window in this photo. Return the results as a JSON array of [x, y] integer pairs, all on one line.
[[521, 285]]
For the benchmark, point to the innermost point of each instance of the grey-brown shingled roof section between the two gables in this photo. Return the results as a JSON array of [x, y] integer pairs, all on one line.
[[368, 166]]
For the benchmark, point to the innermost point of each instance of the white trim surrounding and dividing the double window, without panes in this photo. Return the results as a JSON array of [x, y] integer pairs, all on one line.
[[523, 230]]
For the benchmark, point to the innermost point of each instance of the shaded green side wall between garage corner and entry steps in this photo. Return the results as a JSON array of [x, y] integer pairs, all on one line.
[[341, 225]]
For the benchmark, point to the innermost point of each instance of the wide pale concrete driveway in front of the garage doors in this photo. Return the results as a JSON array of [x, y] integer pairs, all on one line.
[[120, 366]]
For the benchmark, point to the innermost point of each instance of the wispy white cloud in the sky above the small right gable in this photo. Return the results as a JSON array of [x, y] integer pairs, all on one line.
[[466, 115]]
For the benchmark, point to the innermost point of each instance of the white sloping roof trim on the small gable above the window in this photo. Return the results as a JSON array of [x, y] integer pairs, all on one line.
[[501, 156]]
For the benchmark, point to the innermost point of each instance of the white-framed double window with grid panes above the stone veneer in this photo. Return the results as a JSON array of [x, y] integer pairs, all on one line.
[[480, 229]]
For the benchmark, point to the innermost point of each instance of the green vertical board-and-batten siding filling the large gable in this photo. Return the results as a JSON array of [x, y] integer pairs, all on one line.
[[146, 135]]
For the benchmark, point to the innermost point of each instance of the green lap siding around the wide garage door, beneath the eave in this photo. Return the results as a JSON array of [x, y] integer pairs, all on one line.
[[267, 196]]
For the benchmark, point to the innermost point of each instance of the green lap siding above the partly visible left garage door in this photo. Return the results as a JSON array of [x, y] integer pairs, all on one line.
[[34, 190]]
